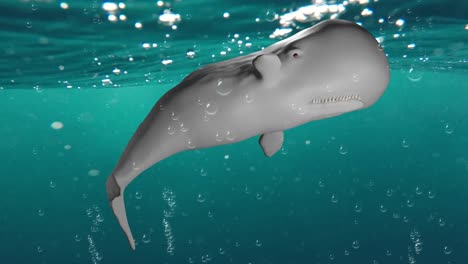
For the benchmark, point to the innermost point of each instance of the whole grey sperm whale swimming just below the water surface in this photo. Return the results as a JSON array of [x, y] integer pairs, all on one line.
[[331, 68]]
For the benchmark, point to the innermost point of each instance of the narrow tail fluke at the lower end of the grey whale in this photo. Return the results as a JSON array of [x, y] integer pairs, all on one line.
[[115, 194]]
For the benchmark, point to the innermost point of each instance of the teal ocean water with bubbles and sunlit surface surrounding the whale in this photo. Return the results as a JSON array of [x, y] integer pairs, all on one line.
[[388, 184]]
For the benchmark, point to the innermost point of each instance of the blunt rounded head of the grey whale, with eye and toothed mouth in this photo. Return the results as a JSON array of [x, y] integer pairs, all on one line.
[[329, 69]]
